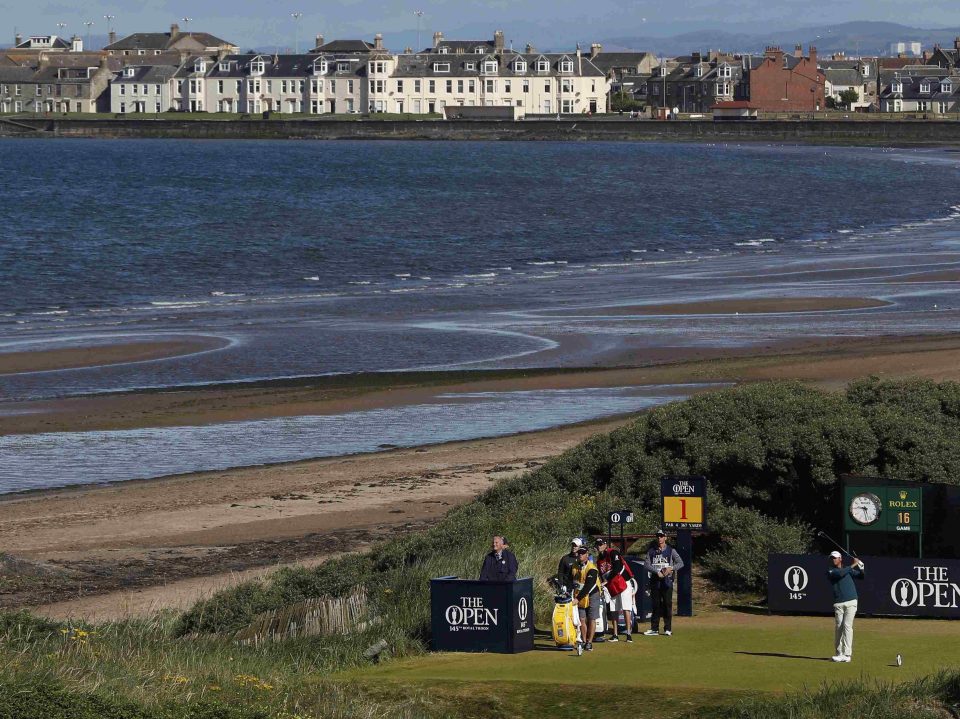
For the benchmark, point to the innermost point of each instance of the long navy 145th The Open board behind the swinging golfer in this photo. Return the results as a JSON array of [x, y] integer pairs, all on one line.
[[894, 586]]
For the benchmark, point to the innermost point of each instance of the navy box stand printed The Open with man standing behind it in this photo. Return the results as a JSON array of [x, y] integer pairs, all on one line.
[[475, 616]]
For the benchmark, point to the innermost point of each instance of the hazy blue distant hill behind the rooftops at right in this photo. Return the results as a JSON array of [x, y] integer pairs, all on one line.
[[855, 38]]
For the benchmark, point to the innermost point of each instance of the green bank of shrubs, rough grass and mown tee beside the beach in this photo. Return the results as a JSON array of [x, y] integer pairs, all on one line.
[[773, 453]]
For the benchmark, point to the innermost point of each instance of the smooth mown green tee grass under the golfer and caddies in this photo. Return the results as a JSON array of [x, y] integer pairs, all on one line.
[[710, 660]]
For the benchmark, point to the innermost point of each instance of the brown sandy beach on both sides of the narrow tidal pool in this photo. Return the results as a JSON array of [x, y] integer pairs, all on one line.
[[131, 548]]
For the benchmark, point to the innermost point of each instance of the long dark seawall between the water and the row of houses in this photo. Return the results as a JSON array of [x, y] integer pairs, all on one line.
[[846, 132]]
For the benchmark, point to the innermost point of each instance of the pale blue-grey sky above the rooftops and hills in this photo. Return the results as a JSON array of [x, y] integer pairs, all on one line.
[[547, 23]]
